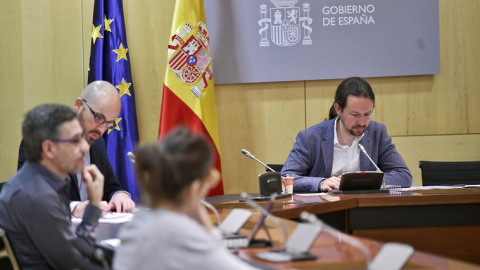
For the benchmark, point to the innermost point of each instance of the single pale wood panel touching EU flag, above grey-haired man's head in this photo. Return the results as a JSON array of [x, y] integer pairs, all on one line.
[[52, 52]]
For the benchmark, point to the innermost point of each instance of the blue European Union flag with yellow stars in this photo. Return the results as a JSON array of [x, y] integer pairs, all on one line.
[[109, 61]]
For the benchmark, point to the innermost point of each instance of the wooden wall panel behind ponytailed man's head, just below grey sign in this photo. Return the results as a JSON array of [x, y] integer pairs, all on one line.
[[413, 105]]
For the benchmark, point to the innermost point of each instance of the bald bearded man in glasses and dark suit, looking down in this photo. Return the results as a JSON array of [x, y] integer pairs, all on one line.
[[97, 107]]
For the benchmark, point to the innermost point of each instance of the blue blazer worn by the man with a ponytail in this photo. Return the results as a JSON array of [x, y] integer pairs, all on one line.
[[311, 159]]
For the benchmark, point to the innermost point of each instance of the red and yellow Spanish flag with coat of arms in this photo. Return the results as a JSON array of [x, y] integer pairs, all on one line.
[[188, 93]]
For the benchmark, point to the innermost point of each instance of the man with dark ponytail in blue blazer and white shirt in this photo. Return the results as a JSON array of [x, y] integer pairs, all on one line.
[[324, 151]]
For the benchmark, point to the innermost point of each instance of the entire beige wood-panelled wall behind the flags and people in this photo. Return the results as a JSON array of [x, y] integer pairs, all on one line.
[[45, 49]]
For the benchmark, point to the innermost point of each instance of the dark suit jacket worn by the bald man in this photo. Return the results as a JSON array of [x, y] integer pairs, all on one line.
[[98, 156]]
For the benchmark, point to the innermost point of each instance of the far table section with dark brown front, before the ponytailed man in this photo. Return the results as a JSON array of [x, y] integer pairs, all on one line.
[[443, 221]]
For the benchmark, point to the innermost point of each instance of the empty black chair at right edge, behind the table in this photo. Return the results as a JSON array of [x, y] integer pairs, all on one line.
[[437, 173]]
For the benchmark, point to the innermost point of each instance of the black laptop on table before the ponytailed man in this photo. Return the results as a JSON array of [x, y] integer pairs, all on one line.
[[360, 182]]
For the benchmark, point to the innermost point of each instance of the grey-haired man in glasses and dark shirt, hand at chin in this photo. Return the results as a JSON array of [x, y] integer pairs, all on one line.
[[33, 203]]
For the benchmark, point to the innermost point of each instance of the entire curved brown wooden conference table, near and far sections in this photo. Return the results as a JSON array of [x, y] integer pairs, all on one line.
[[413, 217]]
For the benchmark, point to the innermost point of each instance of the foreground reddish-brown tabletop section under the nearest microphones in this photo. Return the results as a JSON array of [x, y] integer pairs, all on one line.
[[332, 253]]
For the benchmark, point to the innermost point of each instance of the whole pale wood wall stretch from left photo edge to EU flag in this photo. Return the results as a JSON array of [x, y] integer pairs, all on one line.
[[41, 62]]
